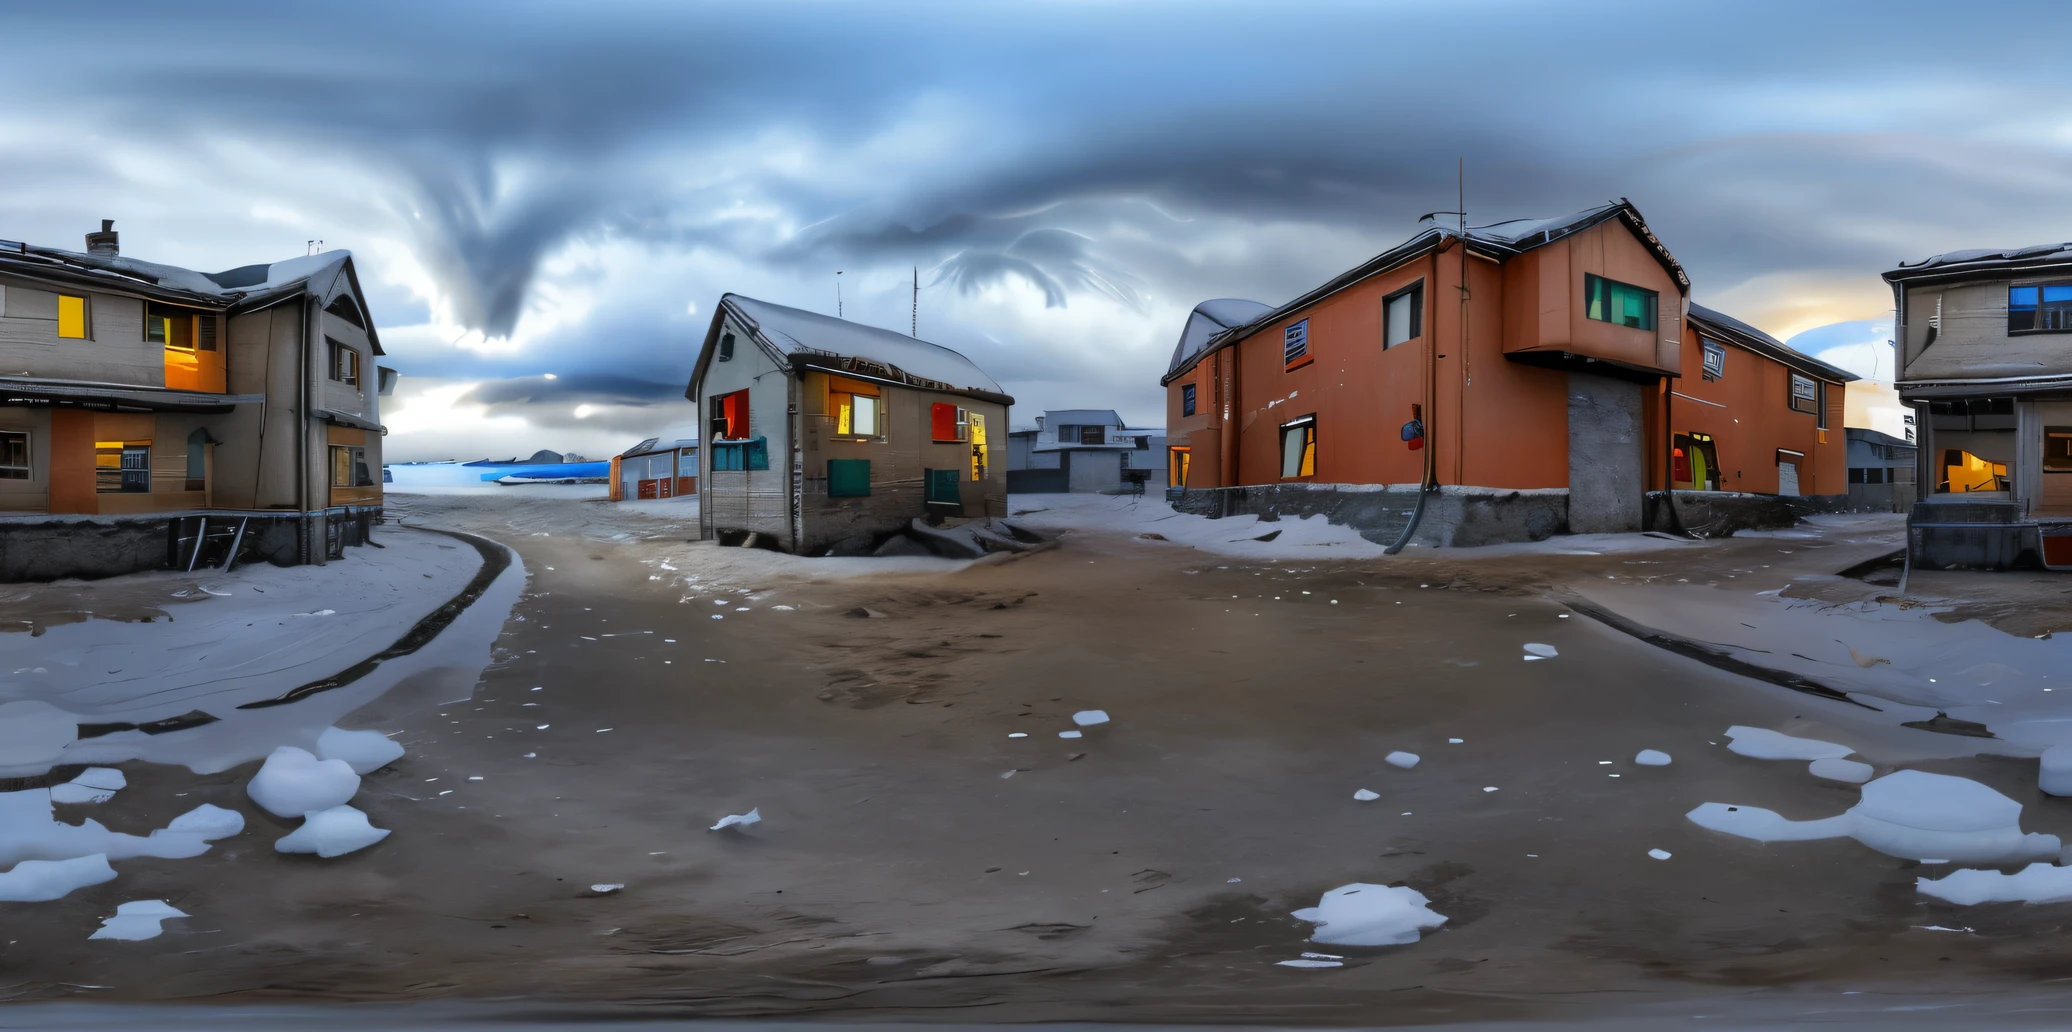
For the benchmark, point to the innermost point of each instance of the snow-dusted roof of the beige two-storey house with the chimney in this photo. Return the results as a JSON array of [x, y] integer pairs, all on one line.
[[227, 291]]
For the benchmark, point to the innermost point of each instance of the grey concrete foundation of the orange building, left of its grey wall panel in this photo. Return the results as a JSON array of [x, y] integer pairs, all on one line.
[[1456, 517]]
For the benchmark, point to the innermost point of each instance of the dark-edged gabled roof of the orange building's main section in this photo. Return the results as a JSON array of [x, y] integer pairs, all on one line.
[[1499, 241]]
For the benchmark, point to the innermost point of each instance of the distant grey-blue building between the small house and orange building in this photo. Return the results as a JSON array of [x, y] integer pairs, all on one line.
[[1085, 451]]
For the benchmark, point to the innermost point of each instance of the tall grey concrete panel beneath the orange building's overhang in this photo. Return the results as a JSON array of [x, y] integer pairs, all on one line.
[[1607, 453]]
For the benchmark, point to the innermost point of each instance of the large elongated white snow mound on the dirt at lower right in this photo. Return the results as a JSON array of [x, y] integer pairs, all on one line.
[[1911, 815]]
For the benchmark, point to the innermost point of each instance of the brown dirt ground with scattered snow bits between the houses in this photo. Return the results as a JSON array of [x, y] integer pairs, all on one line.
[[915, 859]]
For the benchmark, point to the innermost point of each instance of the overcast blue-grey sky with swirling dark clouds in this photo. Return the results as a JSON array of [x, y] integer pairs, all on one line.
[[569, 188]]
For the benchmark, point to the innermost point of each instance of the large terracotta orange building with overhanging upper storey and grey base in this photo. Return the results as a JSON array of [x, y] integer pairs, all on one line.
[[1501, 382]]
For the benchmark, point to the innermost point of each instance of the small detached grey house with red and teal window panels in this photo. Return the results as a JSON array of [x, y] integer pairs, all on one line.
[[826, 436]]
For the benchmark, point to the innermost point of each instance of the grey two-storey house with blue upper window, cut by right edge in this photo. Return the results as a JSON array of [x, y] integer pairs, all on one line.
[[1986, 362]]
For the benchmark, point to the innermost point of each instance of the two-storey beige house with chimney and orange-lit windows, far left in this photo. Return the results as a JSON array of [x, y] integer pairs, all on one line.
[[198, 420]]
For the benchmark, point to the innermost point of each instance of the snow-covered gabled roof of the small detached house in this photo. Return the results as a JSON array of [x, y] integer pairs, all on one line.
[[822, 341]]
